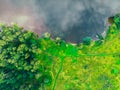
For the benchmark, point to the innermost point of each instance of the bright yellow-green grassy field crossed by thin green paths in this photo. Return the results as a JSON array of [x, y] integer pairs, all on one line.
[[87, 67]]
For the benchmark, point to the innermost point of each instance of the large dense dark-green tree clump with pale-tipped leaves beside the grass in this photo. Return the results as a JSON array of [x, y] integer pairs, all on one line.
[[20, 69]]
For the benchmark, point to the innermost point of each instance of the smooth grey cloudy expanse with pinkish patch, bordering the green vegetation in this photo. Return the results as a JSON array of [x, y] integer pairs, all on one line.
[[72, 20]]
